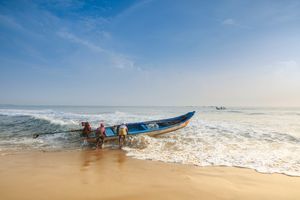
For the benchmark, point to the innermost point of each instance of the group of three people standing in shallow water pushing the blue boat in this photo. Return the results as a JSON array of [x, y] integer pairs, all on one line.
[[122, 131]]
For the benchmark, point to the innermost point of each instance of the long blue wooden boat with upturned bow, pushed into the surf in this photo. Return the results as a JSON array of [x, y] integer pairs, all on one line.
[[151, 128]]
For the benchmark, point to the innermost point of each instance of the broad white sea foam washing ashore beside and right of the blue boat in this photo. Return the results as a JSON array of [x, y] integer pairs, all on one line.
[[205, 143]]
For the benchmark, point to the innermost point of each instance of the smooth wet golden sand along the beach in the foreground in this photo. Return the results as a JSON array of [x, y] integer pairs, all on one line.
[[110, 174]]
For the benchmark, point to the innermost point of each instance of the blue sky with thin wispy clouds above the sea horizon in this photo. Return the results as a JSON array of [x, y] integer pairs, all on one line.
[[150, 52]]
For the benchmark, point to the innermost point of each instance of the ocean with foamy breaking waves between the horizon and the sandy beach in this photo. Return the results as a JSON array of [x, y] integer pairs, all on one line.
[[264, 139]]
